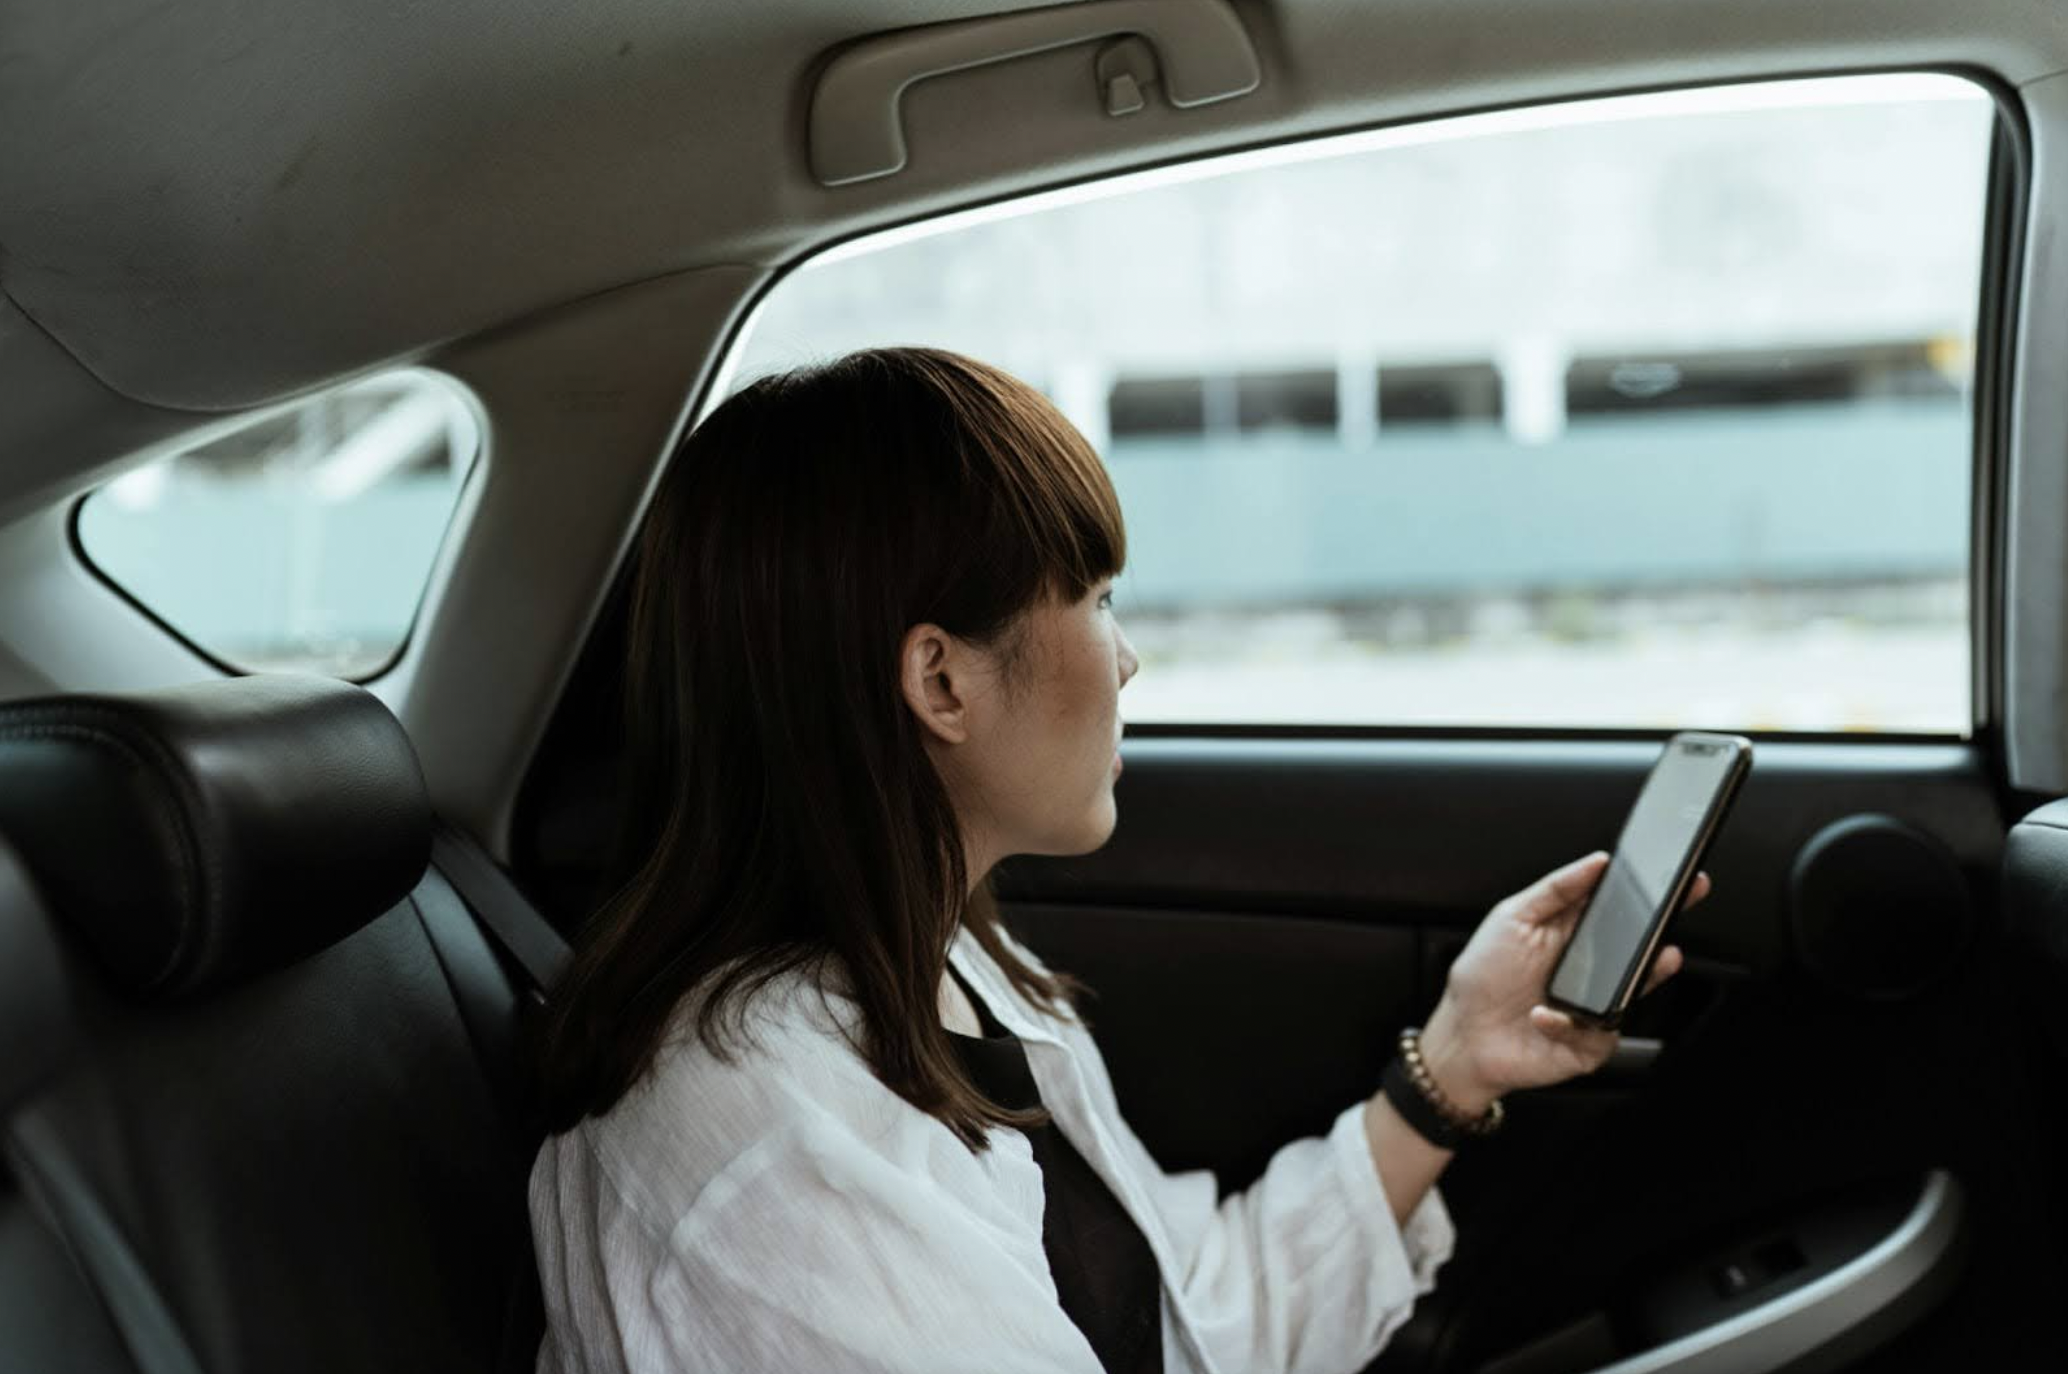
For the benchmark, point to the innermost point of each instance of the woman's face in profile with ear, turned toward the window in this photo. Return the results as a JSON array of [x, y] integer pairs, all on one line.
[[1029, 750]]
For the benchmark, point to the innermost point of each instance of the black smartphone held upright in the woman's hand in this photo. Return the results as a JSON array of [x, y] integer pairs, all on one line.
[[1670, 829]]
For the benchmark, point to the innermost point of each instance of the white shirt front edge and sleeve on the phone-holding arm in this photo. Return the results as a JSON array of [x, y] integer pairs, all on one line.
[[1306, 1272]]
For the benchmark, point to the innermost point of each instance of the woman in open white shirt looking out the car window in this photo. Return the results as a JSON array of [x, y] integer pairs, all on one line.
[[801, 1075]]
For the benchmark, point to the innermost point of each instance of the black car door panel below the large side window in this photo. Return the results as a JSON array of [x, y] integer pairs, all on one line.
[[1269, 914]]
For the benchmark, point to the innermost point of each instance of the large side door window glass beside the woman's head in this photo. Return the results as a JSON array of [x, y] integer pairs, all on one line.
[[1629, 413]]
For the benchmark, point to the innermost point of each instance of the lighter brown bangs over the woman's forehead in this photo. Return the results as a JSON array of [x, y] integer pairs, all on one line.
[[1056, 498]]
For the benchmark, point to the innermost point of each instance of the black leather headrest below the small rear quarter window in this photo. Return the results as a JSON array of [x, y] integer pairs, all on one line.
[[204, 835]]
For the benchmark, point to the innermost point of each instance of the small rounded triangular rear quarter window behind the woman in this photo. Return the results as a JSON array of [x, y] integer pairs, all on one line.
[[301, 541]]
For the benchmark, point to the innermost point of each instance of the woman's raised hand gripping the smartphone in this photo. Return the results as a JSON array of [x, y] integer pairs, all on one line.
[[1492, 1034]]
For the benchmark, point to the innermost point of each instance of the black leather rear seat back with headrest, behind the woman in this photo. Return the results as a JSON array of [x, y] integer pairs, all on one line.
[[291, 1098]]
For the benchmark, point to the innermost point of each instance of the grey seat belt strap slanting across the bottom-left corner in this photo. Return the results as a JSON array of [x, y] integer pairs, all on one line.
[[102, 1255]]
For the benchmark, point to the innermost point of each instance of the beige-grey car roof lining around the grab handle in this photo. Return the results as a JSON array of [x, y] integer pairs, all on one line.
[[216, 206]]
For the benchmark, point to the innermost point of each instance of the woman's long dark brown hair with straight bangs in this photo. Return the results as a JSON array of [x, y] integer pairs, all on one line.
[[785, 812]]
